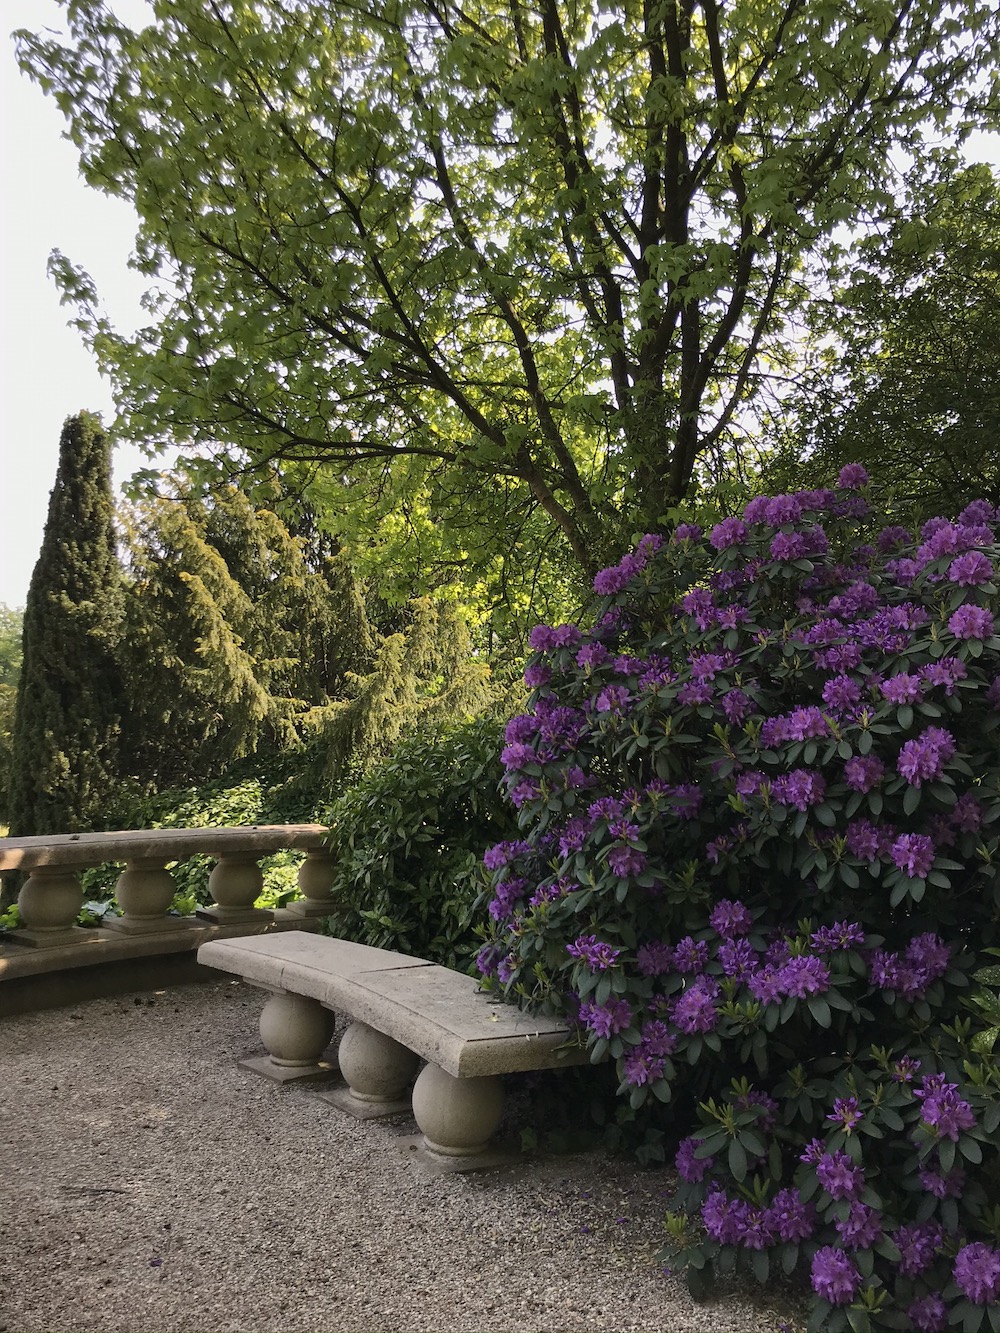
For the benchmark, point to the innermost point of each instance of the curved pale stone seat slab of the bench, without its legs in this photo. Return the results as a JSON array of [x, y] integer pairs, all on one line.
[[441, 1015]]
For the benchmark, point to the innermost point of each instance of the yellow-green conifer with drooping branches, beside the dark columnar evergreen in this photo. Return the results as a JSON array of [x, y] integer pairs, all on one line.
[[243, 641]]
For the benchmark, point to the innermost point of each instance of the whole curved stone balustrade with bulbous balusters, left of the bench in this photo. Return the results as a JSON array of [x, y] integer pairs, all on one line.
[[51, 898]]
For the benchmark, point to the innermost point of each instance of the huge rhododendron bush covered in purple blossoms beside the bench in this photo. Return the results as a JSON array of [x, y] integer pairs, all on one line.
[[758, 808]]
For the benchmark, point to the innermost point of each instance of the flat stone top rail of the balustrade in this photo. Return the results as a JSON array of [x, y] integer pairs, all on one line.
[[85, 850]]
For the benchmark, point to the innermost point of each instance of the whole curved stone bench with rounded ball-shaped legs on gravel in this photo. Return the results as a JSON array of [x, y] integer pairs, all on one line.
[[405, 1011]]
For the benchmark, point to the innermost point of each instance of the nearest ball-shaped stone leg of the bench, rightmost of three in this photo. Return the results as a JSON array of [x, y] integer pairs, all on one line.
[[457, 1116]]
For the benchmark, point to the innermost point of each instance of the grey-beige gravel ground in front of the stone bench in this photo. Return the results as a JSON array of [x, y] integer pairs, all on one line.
[[153, 1187]]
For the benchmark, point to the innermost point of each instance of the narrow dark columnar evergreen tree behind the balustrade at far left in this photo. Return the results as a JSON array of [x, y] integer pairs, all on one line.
[[67, 715]]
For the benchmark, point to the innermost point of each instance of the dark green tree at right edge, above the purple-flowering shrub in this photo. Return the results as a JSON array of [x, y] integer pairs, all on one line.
[[906, 374]]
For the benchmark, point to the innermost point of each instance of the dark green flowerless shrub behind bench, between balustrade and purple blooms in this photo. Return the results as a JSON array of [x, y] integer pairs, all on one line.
[[410, 840]]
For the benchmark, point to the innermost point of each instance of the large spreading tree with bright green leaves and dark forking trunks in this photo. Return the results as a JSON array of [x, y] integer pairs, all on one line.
[[501, 269]]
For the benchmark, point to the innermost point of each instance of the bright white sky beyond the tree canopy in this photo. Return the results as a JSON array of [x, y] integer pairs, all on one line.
[[46, 373]]
